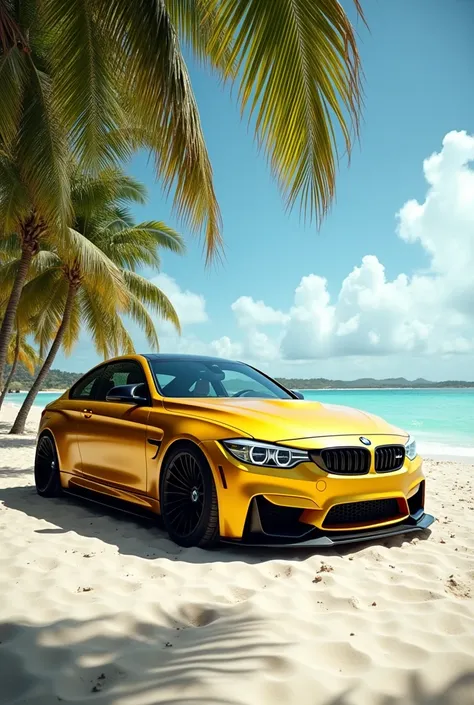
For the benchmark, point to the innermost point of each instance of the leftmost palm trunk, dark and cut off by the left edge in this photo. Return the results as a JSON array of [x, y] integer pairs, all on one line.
[[30, 232]]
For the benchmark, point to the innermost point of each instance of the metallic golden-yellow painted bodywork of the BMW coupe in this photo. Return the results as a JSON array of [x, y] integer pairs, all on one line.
[[118, 449]]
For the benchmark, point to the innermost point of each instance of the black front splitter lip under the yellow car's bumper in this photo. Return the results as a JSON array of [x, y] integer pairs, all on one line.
[[415, 522]]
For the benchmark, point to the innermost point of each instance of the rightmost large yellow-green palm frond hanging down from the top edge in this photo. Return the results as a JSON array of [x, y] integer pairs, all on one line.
[[298, 67]]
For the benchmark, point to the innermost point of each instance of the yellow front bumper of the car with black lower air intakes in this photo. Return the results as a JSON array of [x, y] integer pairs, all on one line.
[[297, 506]]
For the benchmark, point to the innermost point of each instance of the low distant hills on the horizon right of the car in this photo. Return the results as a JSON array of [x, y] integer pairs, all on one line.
[[369, 383]]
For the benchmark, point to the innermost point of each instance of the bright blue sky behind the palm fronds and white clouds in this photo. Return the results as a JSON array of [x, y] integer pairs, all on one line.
[[418, 67]]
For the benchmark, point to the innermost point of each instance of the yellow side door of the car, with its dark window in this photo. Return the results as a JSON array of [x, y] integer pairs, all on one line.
[[112, 435]]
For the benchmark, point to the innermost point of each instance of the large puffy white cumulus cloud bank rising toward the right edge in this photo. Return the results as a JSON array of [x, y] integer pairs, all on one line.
[[425, 313]]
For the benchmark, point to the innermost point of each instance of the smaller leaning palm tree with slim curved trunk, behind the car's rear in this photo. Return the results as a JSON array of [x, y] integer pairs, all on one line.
[[90, 276]]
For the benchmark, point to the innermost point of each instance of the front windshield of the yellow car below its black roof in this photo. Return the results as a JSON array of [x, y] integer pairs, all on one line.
[[207, 379]]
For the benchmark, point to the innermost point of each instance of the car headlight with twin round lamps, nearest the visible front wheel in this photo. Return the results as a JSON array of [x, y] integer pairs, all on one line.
[[265, 454]]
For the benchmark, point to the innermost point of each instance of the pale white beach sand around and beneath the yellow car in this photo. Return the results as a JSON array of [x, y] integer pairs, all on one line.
[[97, 607]]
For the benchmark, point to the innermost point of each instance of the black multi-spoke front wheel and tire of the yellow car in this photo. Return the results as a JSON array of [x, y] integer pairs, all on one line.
[[188, 498]]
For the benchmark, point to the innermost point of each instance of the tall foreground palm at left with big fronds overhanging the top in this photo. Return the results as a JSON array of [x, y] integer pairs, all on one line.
[[109, 76]]
